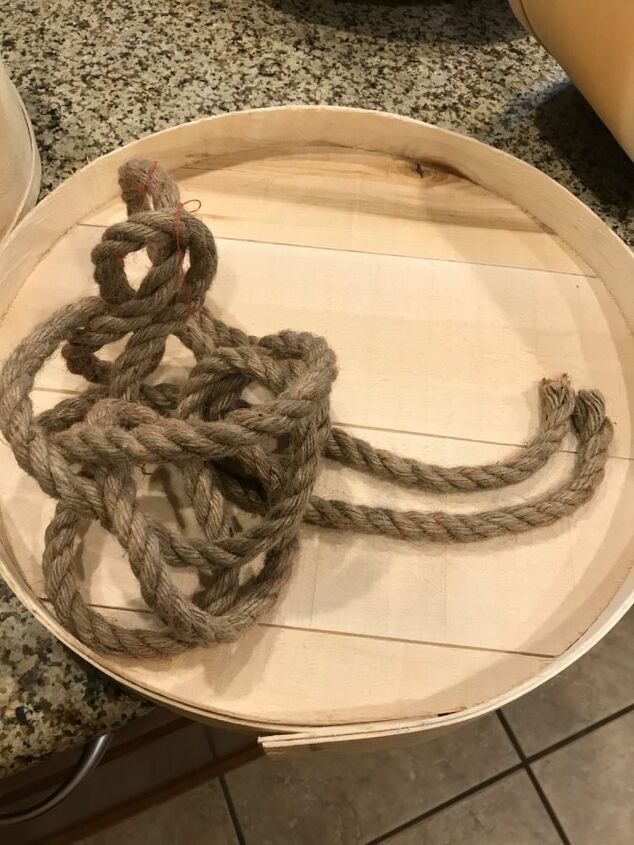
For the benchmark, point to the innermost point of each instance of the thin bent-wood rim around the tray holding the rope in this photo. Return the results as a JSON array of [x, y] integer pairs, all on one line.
[[494, 169]]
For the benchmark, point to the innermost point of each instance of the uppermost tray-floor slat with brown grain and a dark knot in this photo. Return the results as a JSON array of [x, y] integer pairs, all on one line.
[[347, 199]]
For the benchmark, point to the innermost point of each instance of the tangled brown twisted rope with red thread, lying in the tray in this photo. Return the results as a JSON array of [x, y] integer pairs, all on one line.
[[262, 458]]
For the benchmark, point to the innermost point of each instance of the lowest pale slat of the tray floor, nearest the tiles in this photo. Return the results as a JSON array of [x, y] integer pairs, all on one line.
[[251, 679]]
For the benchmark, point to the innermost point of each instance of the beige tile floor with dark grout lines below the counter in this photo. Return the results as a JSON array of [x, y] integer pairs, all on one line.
[[553, 767]]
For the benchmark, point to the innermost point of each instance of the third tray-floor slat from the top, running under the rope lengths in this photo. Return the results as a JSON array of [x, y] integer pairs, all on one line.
[[528, 594]]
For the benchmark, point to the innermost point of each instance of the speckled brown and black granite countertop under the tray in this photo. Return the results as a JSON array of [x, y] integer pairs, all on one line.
[[95, 74]]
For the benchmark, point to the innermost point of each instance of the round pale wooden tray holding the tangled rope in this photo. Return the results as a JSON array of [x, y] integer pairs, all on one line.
[[449, 278]]
